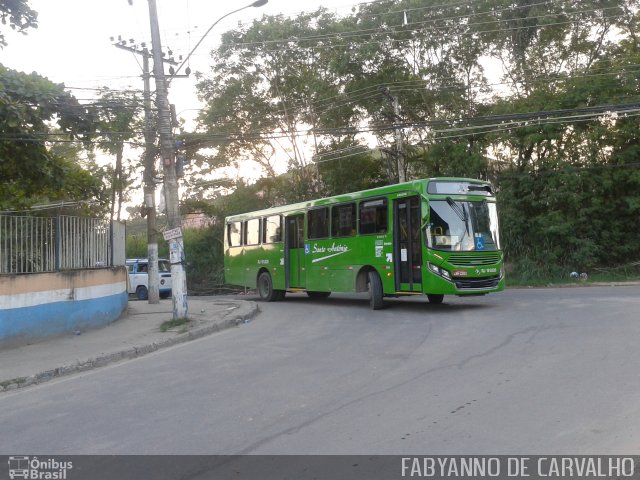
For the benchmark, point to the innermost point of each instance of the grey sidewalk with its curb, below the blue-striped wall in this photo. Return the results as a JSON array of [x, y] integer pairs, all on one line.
[[136, 333]]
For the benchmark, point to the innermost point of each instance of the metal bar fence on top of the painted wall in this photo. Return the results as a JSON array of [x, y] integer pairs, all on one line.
[[48, 244]]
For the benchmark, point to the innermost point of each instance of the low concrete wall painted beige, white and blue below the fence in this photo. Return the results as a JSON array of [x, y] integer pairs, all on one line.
[[38, 305]]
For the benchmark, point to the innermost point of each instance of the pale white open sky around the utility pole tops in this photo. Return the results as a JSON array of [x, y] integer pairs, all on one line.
[[72, 42]]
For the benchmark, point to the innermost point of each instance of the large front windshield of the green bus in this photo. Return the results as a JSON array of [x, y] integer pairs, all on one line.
[[462, 225]]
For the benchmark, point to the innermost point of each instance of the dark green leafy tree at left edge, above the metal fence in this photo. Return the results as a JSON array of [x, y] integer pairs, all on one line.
[[36, 114]]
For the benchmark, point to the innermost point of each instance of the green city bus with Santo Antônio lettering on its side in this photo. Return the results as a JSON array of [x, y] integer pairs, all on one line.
[[436, 236]]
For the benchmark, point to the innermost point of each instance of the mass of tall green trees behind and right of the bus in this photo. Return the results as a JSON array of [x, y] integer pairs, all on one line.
[[541, 98]]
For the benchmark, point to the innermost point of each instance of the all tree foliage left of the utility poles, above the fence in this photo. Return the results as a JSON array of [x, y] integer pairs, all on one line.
[[48, 139]]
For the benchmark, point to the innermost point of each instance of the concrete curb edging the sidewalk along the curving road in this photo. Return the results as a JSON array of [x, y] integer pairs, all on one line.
[[245, 312]]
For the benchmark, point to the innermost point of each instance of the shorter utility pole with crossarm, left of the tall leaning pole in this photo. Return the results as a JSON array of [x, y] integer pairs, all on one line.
[[153, 274]]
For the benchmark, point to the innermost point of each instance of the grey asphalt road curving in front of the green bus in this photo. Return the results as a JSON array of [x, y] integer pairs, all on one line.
[[523, 372]]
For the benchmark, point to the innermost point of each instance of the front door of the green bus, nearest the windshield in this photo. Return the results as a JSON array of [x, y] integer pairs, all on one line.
[[407, 247]]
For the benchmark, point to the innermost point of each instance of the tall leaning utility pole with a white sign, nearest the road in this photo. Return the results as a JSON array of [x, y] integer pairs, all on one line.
[[167, 154]]
